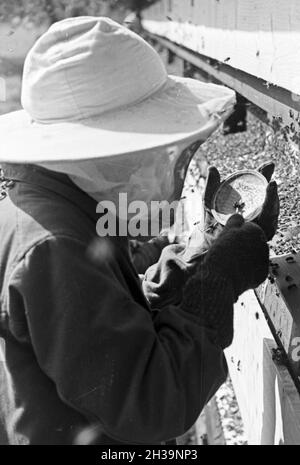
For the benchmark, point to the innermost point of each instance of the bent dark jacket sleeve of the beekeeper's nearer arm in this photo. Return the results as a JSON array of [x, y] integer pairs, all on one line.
[[144, 378]]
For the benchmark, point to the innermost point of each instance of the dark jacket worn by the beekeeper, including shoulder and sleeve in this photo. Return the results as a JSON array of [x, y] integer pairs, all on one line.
[[79, 344]]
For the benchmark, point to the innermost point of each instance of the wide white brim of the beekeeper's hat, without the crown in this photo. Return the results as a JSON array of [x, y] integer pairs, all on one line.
[[183, 110]]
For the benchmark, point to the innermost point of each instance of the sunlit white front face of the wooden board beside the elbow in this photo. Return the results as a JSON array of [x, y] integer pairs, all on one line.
[[245, 363]]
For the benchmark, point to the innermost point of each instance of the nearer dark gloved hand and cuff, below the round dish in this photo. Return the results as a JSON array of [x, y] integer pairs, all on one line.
[[237, 261]]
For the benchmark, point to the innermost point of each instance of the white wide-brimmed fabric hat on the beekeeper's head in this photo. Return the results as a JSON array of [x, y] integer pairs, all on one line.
[[92, 88]]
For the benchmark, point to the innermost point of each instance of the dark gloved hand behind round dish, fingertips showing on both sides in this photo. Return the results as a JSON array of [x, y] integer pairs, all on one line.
[[267, 220]]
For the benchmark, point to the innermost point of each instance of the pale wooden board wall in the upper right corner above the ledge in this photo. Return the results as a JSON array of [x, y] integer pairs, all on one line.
[[260, 37]]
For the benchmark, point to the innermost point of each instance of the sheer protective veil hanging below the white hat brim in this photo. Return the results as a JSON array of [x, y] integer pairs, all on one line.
[[142, 179]]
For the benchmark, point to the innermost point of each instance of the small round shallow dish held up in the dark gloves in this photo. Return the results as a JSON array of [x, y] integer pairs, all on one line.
[[242, 192]]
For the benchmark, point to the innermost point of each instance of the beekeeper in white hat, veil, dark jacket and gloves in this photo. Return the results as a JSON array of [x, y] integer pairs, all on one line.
[[84, 344]]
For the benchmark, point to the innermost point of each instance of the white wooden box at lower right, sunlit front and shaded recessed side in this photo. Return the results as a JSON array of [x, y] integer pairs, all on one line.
[[266, 394]]
